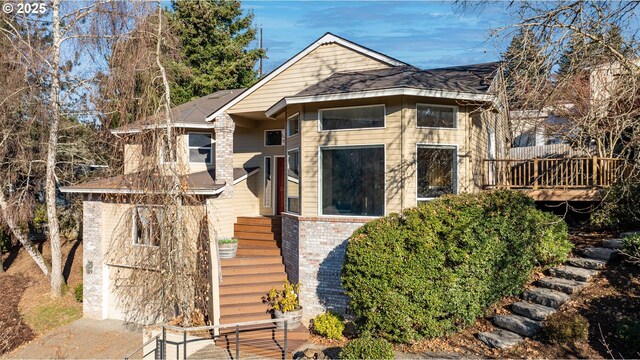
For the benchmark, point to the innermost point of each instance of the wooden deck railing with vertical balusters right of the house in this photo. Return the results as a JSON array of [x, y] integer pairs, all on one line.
[[552, 173]]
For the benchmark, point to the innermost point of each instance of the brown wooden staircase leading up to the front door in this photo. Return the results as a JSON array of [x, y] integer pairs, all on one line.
[[257, 268]]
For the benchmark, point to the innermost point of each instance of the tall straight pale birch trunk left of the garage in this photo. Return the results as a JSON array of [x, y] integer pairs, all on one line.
[[50, 184]]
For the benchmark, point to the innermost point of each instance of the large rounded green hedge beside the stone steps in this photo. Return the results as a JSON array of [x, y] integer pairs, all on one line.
[[435, 268]]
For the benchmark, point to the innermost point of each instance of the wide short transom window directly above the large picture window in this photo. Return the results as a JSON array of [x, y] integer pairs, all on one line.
[[360, 117]]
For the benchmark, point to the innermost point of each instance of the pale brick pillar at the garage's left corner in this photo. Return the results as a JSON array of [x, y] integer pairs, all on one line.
[[92, 256]]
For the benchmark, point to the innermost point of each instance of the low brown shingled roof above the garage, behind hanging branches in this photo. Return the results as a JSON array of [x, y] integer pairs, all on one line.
[[199, 183]]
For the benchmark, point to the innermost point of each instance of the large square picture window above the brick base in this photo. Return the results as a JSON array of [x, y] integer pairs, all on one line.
[[353, 181]]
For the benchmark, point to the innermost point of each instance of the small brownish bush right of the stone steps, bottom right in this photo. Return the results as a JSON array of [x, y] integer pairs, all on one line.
[[565, 328]]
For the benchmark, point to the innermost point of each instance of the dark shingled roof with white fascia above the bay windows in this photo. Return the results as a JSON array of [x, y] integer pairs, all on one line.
[[469, 82]]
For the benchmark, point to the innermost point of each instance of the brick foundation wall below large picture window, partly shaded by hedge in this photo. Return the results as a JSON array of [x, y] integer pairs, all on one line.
[[321, 246]]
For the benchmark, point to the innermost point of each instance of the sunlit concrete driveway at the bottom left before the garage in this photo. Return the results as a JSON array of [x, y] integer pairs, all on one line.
[[83, 339]]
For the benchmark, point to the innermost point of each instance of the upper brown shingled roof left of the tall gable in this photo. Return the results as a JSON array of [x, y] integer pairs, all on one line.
[[191, 114]]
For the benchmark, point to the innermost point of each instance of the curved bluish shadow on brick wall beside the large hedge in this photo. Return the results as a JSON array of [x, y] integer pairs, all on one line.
[[329, 289]]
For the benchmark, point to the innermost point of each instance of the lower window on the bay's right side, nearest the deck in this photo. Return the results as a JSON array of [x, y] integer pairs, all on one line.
[[437, 171]]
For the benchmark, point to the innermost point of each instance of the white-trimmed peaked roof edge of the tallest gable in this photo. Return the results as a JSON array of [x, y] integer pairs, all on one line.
[[325, 39]]
